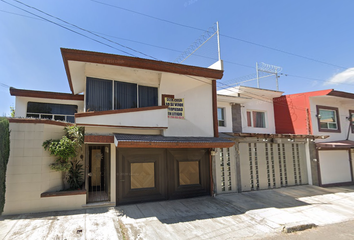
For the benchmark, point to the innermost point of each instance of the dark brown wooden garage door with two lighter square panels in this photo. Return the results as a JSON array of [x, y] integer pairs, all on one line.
[[161, 174]]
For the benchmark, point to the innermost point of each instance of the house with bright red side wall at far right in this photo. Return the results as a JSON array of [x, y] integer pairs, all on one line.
[[327, 112]]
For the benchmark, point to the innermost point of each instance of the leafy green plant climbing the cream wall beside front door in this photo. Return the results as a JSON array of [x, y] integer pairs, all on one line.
[[66, 150]]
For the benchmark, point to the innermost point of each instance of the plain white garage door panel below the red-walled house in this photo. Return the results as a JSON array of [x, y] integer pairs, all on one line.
[[334, 166]]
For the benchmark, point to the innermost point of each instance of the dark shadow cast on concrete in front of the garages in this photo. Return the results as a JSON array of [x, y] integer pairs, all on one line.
[[186, 210]]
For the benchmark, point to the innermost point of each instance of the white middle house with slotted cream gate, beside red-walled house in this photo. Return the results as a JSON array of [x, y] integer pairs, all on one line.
[[260, 158]]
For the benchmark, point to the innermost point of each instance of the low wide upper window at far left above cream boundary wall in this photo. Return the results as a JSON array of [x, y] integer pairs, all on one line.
[[61, 112]]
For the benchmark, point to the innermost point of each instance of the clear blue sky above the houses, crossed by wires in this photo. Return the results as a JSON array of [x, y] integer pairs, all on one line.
[[282, 33]]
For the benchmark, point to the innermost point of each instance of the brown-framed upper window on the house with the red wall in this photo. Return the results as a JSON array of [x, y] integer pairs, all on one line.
[[328, 119]]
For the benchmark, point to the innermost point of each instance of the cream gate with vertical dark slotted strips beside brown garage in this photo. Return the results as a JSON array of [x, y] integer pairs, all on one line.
[[261, 166]]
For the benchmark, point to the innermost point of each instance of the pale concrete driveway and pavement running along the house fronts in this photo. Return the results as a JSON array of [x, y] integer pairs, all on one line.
[[250, 215]]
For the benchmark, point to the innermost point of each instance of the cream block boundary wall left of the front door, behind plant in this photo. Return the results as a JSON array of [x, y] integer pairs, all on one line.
[[29, 175]]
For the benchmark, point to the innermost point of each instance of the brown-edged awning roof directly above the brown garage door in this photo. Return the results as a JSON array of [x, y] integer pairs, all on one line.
[[158, 141]]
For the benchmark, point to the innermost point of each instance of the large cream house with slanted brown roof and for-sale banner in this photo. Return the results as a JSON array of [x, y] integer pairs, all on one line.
[[150, 128]]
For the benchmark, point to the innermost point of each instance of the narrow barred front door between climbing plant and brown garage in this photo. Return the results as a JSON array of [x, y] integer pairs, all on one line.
[[98, 174]]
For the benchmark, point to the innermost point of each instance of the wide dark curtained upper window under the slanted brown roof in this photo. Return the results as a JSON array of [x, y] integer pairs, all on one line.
[[102, 95]]
